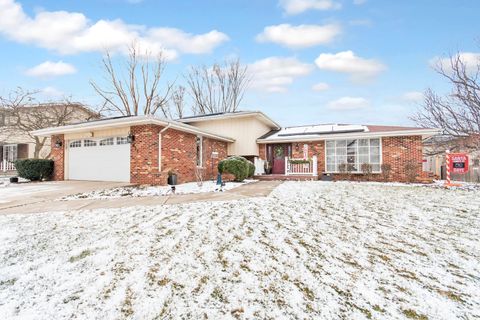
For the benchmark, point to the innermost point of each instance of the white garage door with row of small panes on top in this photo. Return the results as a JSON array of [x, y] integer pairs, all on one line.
[[105, 159]]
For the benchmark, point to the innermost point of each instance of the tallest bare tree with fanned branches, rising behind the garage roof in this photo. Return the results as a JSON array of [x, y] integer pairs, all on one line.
[[134, 87]]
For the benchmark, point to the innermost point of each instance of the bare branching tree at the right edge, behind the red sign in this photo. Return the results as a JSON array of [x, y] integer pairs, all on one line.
[[458, 113]]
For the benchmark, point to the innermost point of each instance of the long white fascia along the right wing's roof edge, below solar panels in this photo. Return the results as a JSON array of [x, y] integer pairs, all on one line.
[[358, 135]]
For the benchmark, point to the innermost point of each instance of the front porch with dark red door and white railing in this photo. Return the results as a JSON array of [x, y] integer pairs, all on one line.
[[286, 161]]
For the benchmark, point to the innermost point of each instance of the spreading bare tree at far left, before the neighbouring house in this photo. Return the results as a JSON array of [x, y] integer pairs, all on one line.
[[23, 114]]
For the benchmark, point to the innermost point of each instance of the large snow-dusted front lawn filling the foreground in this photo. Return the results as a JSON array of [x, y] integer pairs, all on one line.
[[310, 250]]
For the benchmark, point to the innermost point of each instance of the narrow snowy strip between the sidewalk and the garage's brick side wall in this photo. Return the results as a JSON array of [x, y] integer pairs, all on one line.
[[152, 191]]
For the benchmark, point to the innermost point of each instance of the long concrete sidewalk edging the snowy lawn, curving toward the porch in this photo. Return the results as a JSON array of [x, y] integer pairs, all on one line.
[[256, 189]]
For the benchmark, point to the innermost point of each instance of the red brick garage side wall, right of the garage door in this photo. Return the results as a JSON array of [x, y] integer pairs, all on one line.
[[178, 154]]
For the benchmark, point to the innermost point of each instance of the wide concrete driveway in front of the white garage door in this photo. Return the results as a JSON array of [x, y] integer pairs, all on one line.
[[21, 194]]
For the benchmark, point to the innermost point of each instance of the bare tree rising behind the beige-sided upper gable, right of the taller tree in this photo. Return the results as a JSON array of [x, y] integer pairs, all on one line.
[[219, 88]]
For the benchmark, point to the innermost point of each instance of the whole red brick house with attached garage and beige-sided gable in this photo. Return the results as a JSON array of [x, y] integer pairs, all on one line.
[[143, 149]]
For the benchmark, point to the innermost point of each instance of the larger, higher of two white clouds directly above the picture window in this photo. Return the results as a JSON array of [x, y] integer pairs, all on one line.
[[359, 69]]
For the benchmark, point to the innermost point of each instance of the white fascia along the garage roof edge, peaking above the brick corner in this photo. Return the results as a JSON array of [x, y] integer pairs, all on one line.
[[123, 122]]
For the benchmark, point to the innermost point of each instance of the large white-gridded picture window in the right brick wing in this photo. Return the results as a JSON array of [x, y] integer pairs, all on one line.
[[353, 153]]
